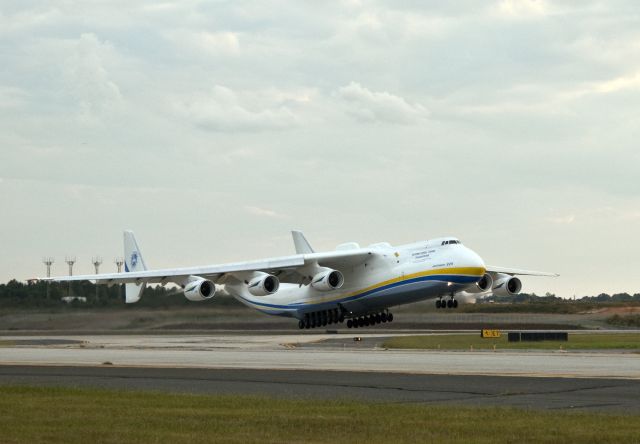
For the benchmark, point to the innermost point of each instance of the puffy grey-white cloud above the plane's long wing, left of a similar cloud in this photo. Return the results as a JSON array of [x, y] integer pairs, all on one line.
[[227, 111]]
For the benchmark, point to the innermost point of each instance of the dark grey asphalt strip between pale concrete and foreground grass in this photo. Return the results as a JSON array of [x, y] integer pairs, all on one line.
[[537, 393]]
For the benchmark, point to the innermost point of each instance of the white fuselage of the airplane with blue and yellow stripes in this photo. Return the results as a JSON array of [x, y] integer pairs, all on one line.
[[393, 276]]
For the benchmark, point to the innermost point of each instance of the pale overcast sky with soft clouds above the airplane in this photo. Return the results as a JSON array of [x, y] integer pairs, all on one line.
[[214, 128]]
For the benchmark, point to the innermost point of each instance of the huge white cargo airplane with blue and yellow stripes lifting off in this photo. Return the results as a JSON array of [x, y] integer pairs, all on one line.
[[352, 284]]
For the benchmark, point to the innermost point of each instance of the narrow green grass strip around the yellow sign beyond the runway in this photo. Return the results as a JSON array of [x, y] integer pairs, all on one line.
[[604, 341]]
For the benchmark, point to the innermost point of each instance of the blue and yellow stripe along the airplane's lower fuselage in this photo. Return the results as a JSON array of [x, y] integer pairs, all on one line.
[[457, 276]]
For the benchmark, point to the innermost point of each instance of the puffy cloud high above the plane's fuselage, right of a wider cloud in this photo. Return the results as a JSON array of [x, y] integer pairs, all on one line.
[[383, 107]]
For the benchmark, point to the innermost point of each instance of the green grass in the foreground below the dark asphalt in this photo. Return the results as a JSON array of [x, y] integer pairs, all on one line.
[[61, 415]]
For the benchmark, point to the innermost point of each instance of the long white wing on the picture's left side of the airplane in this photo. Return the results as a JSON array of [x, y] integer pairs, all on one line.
[[285, 266]]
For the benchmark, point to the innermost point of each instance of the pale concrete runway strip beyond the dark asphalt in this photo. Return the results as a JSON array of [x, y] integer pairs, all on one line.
[[304, 352]]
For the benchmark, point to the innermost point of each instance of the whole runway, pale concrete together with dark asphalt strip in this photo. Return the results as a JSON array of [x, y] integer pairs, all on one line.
[[307, 366]]
